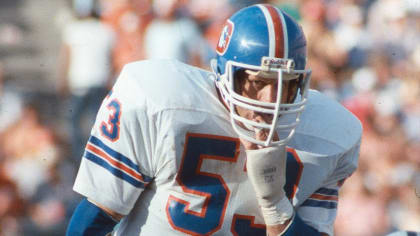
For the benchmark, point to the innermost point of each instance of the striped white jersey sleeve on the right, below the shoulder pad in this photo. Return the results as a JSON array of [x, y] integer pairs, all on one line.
[[319, 210]]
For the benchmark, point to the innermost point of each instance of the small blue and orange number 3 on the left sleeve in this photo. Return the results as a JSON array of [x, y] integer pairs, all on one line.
[[111, 129]]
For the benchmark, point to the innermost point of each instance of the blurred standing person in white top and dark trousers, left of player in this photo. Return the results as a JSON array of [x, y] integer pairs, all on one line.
[[86, 69]]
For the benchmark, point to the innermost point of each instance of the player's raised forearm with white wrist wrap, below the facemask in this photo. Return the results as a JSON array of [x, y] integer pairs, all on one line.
[[266, 168]]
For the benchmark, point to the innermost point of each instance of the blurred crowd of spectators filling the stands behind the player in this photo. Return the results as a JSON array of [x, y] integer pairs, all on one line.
[[363, 53]]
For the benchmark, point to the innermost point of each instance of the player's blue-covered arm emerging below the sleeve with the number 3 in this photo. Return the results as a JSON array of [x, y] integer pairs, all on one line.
[[91, 218]]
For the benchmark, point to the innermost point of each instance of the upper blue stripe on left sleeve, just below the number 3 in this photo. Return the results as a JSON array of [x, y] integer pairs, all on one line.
[[118, 157]]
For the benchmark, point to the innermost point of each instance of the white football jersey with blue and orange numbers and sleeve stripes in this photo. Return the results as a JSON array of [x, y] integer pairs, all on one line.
[[163, 152]]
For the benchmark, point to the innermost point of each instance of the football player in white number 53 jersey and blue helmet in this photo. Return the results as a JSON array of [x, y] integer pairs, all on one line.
[[247, 149]]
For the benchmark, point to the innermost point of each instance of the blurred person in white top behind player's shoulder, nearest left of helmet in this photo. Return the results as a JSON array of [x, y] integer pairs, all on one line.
[[172, 36]]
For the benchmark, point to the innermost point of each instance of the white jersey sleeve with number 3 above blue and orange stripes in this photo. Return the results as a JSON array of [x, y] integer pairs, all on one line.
[[117, 165]]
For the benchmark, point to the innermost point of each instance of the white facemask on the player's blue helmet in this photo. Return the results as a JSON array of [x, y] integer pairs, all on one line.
[[282, 117]]
